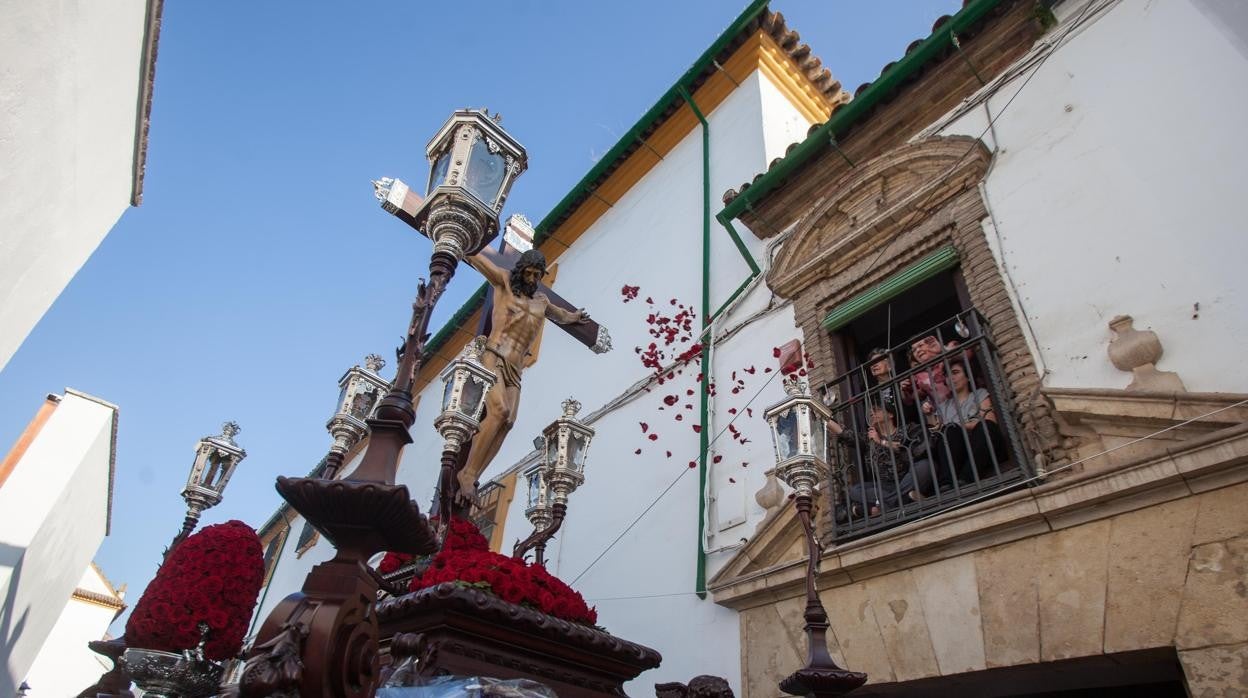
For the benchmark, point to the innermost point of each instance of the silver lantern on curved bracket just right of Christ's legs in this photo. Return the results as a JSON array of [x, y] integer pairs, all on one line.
[[565, 446]]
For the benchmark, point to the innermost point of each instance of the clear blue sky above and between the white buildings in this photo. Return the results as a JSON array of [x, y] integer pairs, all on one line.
[[260, 268]]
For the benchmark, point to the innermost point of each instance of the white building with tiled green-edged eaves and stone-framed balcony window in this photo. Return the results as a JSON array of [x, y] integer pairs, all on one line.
[[1104, 188]]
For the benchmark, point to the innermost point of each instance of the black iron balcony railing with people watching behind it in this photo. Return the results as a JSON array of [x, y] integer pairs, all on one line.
[[927, 438]]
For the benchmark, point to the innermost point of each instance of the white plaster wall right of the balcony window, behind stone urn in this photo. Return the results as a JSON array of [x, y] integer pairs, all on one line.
[[1118, 192]]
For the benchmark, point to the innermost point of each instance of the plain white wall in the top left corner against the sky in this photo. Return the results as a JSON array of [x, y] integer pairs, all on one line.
[[69, 104]]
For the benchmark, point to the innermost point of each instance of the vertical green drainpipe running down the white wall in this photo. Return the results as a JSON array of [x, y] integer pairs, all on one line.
[[704, 405]]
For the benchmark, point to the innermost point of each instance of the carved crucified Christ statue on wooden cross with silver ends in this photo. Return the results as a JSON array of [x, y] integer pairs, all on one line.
[[512, 323]]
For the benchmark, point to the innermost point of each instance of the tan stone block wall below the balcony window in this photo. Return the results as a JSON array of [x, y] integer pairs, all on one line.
[[1172, 575]]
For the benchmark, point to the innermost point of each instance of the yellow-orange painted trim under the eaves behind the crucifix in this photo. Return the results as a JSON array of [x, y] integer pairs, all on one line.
[[757, 53]]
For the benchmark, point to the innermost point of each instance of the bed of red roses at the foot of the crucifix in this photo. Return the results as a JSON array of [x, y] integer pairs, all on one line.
[[466, 559]]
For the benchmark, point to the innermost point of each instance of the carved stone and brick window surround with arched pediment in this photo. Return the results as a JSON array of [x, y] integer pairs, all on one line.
[[884, 215]]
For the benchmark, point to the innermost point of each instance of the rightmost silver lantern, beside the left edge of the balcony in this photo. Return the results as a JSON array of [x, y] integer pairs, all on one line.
[[799, 433]]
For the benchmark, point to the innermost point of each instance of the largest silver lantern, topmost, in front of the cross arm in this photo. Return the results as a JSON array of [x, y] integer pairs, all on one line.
[[474, 164]]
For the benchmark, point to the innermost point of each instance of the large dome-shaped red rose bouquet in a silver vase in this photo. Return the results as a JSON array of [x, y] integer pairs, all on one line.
[[213, 578]]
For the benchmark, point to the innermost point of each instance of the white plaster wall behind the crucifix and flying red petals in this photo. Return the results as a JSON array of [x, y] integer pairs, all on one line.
[[652, 238]]
